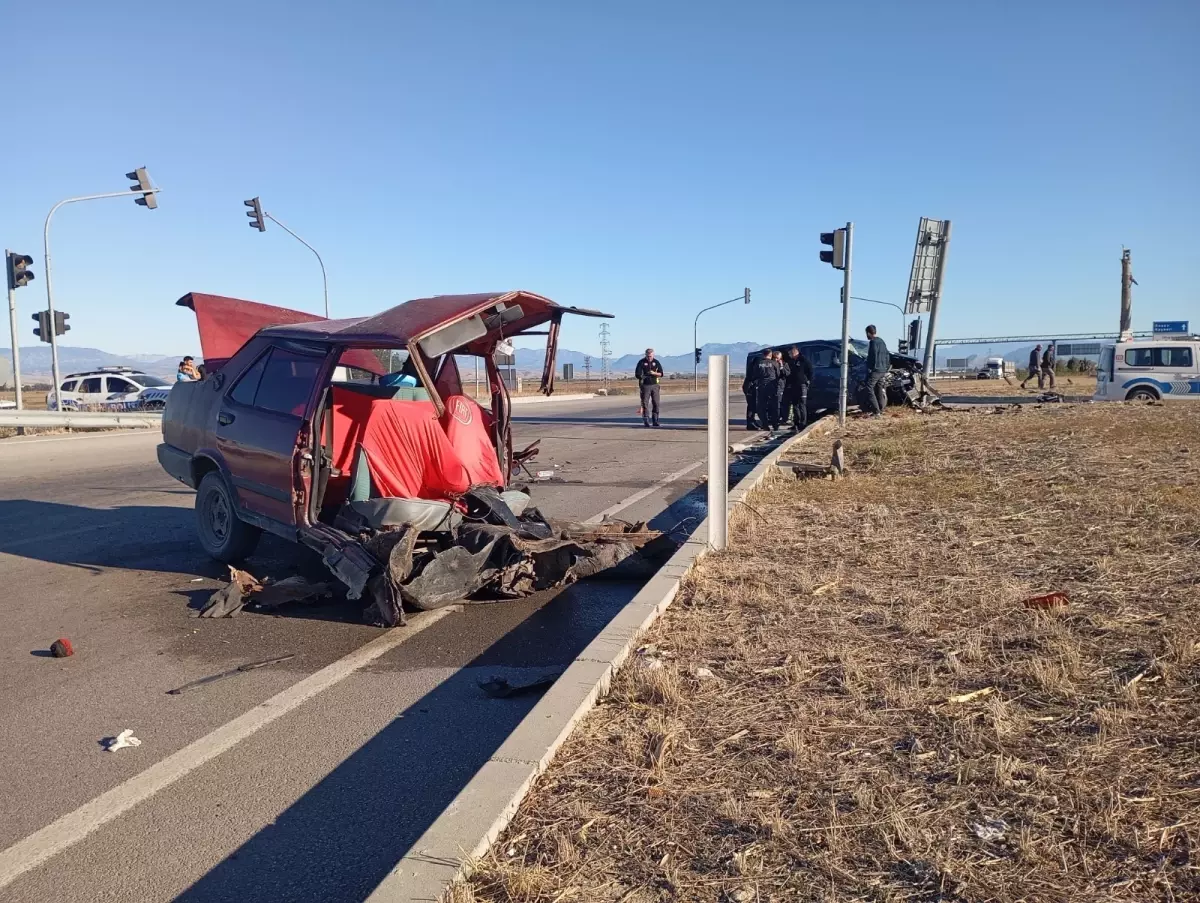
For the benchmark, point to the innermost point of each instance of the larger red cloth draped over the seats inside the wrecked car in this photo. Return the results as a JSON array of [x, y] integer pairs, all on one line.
[[407, 450]]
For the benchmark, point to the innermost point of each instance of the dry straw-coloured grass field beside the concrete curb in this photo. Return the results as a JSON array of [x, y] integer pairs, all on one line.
[[823, 760]]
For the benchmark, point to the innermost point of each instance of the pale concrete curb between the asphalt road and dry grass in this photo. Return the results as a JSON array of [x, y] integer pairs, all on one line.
[[475, 820]]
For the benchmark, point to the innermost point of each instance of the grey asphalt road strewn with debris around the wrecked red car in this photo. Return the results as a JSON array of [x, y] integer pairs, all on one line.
[[304, 781]]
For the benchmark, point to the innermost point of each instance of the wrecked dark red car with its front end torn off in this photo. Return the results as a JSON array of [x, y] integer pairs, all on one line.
[[327, 432]]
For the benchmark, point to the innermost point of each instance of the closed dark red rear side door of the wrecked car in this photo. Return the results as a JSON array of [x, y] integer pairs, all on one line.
[[260, 423]]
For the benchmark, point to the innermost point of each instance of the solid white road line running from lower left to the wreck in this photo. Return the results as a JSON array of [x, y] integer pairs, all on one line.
[[75, 827]]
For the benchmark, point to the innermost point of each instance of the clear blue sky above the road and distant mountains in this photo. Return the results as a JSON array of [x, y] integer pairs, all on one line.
[[647, 159]]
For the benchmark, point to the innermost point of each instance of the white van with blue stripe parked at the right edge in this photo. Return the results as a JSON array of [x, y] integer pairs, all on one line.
[[1150, 370]]
